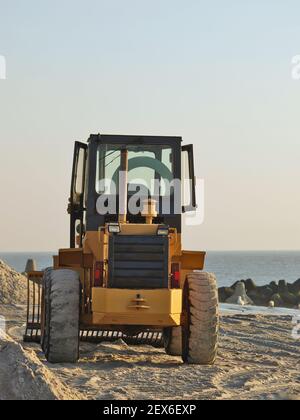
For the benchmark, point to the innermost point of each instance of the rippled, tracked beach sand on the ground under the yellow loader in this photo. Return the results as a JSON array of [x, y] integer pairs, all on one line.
[[258, 359]]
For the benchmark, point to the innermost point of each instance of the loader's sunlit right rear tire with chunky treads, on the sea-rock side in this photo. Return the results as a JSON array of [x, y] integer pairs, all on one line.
[[201, 319]]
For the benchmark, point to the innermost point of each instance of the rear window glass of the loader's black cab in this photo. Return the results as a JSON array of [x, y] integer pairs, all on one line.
[[149, 166]]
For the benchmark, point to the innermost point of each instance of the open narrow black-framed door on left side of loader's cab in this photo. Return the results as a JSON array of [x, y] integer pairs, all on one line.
[[76, 202]]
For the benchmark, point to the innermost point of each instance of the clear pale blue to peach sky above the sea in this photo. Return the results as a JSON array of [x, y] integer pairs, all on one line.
[[217, 73]]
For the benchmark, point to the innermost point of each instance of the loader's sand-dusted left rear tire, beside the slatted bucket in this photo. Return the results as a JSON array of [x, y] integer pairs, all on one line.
[[61, 306]]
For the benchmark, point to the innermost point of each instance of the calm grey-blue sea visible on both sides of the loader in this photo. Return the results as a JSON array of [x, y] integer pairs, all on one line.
[[263, 267]]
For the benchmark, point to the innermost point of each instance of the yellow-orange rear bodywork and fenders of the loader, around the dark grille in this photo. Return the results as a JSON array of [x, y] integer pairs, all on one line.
[[118, 307]]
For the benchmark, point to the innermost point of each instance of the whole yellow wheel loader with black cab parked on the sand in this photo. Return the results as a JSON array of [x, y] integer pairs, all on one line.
[[125, 275]]
